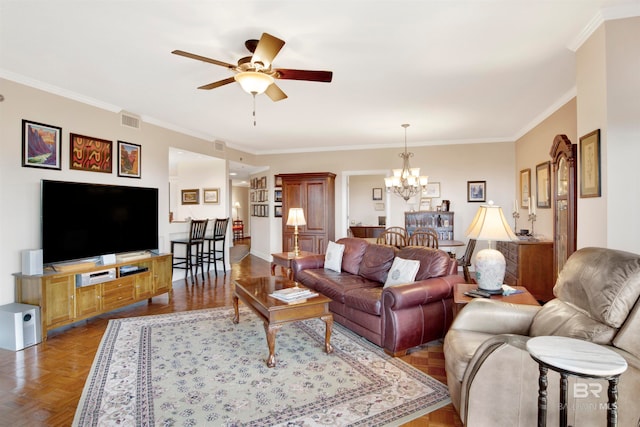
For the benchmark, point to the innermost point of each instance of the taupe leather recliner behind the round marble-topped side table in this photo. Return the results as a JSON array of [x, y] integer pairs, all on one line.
[[493, 380]]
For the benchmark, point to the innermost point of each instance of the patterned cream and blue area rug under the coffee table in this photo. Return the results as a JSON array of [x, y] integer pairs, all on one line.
[[198, 368]]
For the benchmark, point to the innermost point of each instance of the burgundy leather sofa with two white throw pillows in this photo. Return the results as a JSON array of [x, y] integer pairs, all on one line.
[[396, 318]]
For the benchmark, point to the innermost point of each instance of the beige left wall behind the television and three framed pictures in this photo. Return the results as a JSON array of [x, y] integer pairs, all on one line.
[[20, 186]]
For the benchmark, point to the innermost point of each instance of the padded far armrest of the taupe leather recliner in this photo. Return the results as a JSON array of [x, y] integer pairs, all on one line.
[[495, 317]]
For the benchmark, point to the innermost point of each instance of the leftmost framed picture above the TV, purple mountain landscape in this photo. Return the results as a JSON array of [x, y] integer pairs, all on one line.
[[41, 145]]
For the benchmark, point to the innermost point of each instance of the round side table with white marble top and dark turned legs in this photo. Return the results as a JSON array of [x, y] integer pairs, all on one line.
[[570, 356]]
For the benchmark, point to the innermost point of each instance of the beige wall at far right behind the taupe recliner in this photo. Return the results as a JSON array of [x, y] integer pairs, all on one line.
[[608, 94]]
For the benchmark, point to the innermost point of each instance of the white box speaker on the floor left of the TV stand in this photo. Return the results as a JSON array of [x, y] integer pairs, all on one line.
[[20, 326]]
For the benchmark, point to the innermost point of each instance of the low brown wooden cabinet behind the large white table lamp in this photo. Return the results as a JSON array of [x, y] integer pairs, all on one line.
[[529, 264]]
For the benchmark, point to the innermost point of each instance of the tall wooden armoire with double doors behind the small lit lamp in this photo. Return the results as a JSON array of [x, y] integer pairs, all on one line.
[[315, 194]]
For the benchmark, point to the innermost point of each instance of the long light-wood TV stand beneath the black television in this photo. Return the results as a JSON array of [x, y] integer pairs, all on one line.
[[62, 303]]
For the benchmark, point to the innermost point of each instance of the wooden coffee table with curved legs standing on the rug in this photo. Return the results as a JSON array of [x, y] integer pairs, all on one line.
[[254, 292]]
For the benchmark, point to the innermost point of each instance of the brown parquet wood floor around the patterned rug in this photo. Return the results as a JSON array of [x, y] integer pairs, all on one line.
[[41, 385]]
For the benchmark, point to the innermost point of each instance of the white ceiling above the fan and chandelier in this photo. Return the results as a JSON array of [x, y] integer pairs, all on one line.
[[457, 70]]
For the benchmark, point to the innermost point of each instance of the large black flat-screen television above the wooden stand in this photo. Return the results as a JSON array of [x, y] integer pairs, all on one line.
[[81, 221]]
